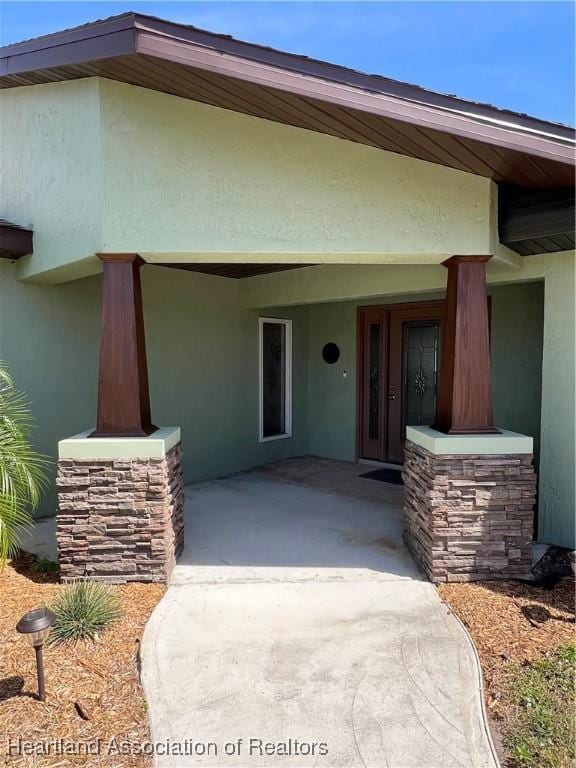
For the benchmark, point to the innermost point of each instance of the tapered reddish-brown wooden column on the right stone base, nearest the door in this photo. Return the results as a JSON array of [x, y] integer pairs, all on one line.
[[465, 387]]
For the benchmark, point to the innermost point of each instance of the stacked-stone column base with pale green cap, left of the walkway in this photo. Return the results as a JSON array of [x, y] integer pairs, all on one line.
[[120, 507]]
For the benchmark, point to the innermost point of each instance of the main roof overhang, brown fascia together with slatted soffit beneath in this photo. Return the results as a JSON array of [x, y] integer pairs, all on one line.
[[314, 95]]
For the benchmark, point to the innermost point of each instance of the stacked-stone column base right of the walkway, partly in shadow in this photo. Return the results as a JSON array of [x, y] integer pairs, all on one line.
[[468, 516]]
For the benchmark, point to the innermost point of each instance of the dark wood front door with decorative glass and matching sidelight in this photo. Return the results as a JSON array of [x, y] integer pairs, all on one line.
[[398, 360]]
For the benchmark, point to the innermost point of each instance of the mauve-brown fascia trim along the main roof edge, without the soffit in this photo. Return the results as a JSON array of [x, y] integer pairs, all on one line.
[[131, 33]]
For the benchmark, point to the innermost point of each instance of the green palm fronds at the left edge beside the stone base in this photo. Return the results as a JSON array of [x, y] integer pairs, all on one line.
[[22, 470]]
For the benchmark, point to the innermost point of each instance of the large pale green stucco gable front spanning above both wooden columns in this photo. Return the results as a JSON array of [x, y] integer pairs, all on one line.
[[238, 183]]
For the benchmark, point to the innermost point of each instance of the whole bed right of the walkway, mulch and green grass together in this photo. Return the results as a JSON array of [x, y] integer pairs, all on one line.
[[525, 639]]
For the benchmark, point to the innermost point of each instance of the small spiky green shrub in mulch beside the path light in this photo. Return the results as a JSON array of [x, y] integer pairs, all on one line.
[[83, 609]]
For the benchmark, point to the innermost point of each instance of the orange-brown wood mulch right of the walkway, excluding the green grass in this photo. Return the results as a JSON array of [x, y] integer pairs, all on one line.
[[511, 623]]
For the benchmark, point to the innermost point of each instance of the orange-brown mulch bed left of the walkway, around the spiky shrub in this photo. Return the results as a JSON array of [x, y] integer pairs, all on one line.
[[93, 689]]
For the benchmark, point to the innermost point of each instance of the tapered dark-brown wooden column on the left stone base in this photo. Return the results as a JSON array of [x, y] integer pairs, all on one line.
[[123, 397]]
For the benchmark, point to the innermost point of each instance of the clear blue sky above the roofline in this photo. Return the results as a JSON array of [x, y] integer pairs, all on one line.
[[518, 55]]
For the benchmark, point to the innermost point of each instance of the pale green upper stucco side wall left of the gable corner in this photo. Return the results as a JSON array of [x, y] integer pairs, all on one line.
[[50, 170]]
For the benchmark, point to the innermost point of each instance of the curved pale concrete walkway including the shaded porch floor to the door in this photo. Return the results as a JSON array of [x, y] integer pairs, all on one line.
[[298, 624]]
